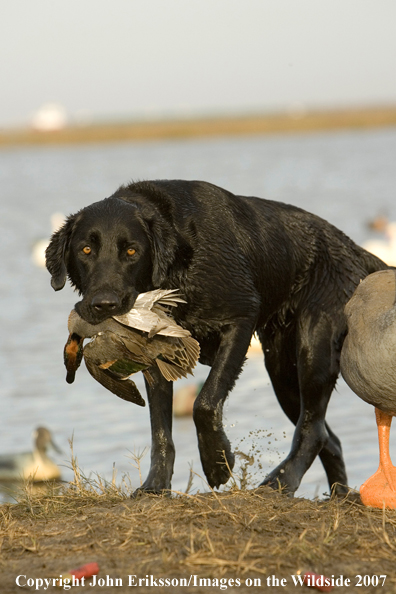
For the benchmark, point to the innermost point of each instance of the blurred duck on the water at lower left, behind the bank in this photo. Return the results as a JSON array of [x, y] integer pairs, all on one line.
[[36, 465]]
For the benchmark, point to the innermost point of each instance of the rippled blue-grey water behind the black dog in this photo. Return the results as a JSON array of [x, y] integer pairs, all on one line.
[[345, 177]]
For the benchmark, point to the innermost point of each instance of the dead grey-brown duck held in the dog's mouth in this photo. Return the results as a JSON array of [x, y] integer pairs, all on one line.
[[124, 345]]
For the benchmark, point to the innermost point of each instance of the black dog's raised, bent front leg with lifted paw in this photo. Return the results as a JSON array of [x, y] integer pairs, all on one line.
[[214, 447]]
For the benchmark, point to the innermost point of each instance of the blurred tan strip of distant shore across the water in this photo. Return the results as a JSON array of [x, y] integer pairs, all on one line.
[[203, 127]]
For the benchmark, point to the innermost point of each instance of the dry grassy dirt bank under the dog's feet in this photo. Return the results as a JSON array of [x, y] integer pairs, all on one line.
[[240, 541]]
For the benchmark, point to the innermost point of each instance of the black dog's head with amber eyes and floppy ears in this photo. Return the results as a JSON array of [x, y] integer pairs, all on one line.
[[111, 251]]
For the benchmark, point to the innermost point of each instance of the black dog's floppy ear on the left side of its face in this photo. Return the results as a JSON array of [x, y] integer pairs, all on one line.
[[56, 252]]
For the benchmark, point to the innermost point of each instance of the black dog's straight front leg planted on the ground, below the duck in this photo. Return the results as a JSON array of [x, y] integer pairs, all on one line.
[[162, 449]]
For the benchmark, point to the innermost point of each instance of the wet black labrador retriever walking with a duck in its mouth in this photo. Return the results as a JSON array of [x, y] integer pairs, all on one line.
[[244, 265]]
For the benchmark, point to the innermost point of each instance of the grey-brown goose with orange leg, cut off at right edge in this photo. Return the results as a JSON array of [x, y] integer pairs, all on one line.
[[368, 366]]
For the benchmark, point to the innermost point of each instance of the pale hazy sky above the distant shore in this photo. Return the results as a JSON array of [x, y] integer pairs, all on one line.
[[123, 59]]
